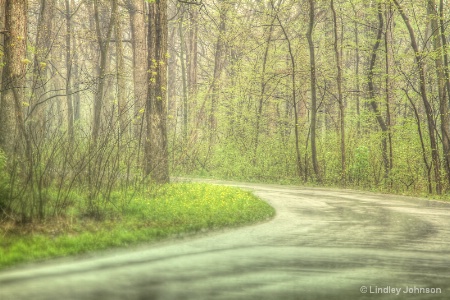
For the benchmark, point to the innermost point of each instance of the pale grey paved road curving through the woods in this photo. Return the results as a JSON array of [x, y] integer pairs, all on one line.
[[322, 244]]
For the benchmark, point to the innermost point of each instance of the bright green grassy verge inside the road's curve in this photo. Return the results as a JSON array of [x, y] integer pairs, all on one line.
[[173, 209]]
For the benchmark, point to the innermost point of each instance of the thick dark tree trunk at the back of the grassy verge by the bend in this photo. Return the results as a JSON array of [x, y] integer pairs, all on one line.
[[156, 105]]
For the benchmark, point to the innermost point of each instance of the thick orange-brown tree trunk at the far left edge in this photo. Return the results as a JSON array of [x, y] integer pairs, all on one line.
[[14, 139]]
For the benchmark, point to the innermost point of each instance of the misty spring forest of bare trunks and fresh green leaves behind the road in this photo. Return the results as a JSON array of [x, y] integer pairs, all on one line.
[[103, 98]]
